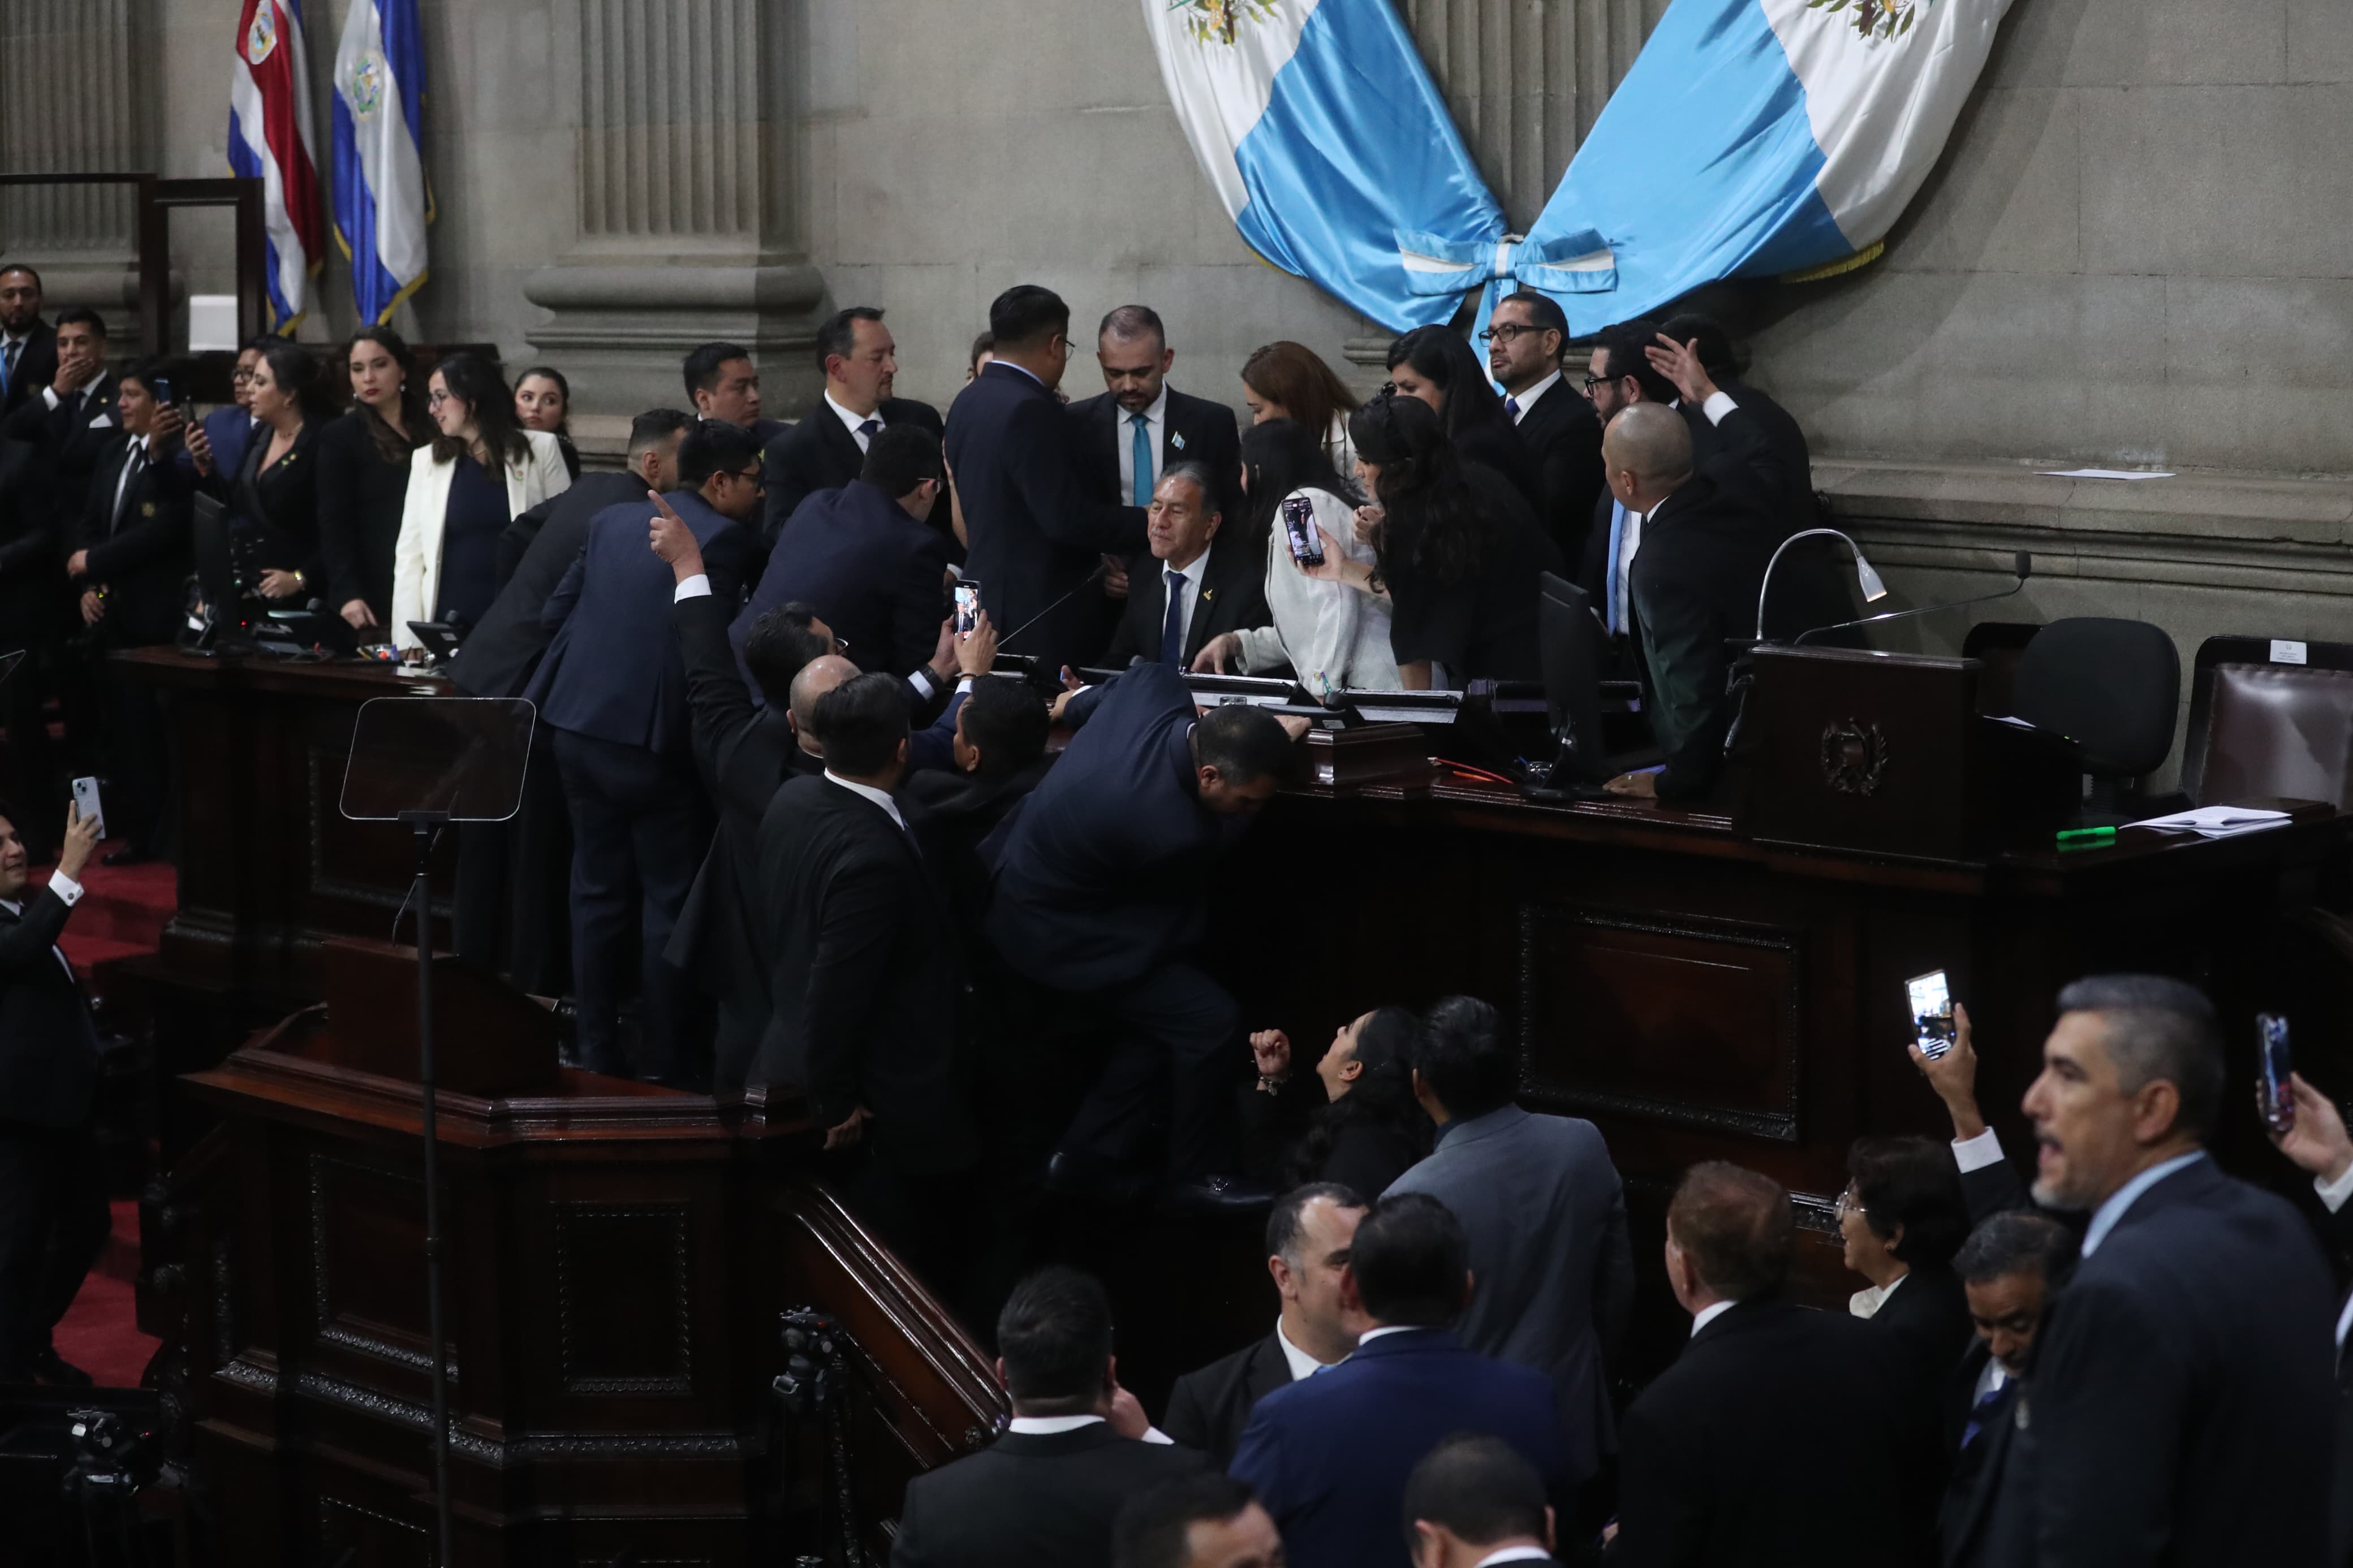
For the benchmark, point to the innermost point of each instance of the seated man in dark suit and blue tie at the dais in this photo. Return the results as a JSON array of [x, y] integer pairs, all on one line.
[[1192, 587]]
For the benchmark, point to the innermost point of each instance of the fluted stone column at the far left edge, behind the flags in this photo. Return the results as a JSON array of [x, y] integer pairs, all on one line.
[[72, 102]]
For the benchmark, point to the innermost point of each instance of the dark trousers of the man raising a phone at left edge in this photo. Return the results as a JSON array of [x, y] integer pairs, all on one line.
[[53, 1224]]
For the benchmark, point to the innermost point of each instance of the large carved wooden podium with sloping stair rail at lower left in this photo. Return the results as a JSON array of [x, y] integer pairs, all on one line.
[[618, 1261]]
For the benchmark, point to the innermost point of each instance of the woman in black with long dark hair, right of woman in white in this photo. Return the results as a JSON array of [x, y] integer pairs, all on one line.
[[1455, 554]]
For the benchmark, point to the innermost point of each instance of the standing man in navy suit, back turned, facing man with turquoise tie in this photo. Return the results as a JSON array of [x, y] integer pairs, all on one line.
[[1039, 525]]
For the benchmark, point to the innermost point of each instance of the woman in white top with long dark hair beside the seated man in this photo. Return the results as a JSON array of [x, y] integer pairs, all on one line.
[[1331, 636]]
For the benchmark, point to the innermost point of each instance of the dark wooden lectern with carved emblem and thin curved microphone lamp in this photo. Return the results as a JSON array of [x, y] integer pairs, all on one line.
[[1888, 753]]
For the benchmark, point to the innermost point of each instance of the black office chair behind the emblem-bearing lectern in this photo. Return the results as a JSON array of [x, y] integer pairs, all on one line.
[[2114, 688]]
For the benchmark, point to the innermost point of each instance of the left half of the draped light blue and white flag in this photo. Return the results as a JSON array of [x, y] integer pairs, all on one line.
[[1326, 140]]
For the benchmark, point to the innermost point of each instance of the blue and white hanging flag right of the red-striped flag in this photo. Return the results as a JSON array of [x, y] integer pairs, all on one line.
[[382, 203]]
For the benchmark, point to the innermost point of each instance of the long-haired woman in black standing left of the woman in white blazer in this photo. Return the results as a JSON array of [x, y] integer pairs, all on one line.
[[364, 478]]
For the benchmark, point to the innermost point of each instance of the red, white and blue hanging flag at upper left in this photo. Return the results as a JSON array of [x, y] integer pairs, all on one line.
[[269, 140]]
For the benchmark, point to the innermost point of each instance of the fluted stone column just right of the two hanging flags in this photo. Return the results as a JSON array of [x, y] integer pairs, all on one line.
[[688, 206]]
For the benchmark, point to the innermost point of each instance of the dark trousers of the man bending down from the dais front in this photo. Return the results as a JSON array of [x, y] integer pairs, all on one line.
[[1175, 1050]]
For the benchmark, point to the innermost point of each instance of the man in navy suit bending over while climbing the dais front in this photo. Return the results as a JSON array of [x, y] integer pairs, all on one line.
[[1102, 887]]
